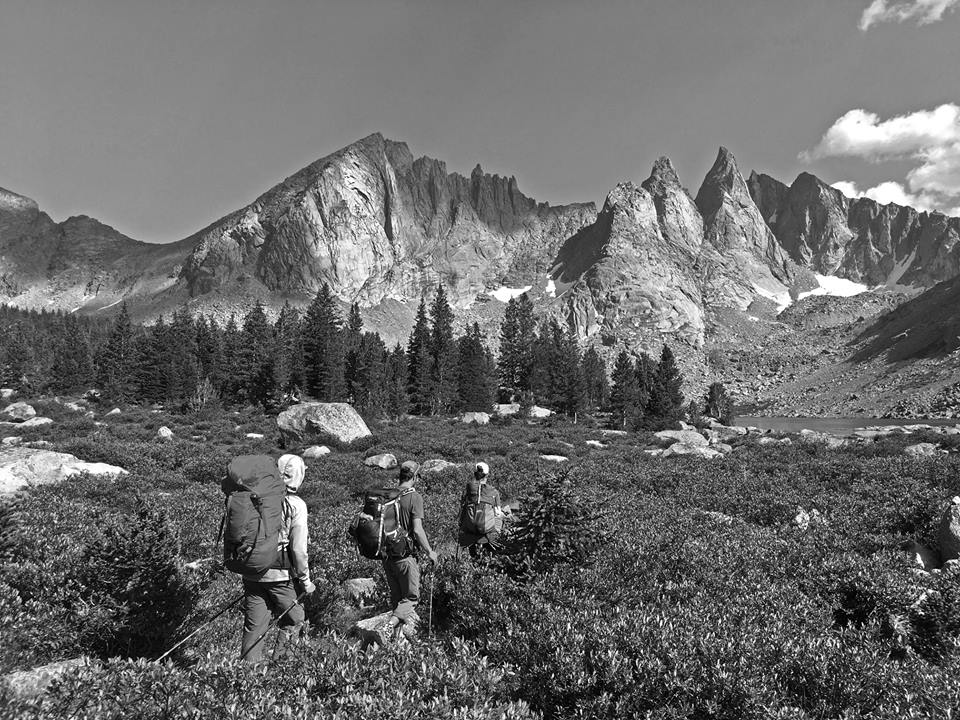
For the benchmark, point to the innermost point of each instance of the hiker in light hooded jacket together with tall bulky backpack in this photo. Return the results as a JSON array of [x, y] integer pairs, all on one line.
[[265, 541]]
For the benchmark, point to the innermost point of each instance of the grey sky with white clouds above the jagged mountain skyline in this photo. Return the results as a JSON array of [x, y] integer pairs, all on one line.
[[160, 116]]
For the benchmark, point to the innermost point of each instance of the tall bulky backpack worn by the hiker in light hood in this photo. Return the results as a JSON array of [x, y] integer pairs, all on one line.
[[253, 514]]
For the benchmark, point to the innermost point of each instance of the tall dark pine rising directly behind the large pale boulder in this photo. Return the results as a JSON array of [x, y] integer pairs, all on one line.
[[323, 348]]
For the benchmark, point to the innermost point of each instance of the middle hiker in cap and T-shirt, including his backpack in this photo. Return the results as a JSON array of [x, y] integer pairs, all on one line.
[[390, 528]]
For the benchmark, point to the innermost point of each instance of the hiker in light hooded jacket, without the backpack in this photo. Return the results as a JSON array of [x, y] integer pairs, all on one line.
[[275, 591]]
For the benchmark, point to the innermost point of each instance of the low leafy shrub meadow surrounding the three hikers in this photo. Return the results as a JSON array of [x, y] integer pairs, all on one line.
[[638, 587]]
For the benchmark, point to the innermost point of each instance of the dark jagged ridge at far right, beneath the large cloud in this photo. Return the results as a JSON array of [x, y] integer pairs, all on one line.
[[861, 240]]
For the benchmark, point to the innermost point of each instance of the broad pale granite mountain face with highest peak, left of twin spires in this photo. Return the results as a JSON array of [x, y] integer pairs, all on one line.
[[375, 223]]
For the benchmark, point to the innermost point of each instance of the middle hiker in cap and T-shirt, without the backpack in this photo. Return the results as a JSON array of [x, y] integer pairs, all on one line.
[[403, 572]]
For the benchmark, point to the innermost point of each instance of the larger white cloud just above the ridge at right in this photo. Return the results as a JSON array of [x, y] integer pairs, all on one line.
[[929, 138]]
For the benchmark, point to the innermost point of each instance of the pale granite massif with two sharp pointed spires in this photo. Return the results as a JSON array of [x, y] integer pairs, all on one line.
[[655, 261]]
